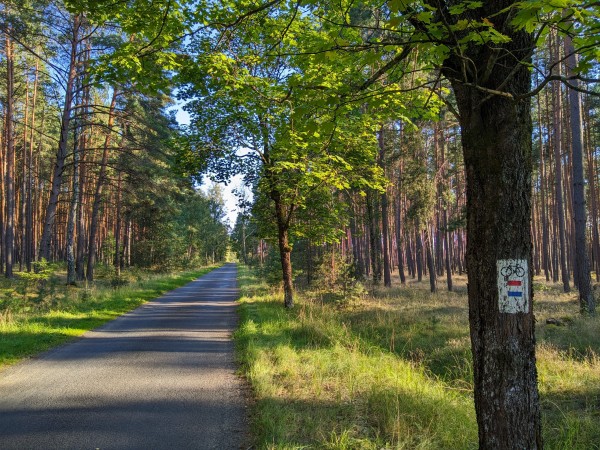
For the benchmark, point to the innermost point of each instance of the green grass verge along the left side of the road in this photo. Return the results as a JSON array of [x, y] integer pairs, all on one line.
[[40, 314]]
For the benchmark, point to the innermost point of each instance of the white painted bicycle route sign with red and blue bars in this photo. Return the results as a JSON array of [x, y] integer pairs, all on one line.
[[513, 286]]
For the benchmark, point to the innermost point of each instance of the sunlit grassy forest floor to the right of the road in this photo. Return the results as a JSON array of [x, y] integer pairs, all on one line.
[[393, 369]]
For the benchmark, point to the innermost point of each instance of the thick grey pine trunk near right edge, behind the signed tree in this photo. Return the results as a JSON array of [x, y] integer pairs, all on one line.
[[582, 266]]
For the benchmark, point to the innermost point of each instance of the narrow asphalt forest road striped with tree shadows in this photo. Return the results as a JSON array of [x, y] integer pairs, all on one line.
[[159, 377]]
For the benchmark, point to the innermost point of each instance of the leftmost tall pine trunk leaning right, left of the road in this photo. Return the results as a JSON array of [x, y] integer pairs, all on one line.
[[61, 154]]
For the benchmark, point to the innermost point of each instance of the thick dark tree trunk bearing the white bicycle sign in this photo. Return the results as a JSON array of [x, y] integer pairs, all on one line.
[[496, 138]]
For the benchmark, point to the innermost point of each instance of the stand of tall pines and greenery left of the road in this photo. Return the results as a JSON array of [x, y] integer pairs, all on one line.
[[89, 163]]
